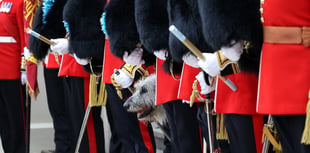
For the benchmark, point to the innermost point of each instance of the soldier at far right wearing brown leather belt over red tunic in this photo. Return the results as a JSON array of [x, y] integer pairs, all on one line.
[[284, 82]]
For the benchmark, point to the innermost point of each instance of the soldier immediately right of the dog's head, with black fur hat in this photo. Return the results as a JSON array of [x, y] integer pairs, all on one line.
[[152, 20]]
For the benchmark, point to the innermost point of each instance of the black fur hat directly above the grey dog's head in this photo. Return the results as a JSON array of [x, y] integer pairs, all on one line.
[[152, 23]]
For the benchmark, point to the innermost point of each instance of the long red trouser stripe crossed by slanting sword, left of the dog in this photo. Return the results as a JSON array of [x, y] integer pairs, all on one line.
[[90, 123]]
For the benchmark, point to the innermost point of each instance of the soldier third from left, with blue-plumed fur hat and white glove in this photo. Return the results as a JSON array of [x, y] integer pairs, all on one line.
[[83, 46]]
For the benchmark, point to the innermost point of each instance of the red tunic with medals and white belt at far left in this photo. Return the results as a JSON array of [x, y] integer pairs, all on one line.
[[11, 27]]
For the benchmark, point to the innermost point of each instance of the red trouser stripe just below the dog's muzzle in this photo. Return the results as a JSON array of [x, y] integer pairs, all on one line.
[[146, 137]]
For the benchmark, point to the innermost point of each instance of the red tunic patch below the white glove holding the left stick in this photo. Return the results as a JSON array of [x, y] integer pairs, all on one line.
[[69, 67]]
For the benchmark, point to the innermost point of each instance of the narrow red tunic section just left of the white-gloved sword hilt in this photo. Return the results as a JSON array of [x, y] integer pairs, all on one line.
[[188, 77]]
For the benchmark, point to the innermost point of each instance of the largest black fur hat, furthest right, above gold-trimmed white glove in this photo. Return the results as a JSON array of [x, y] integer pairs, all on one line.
[[238, 20]]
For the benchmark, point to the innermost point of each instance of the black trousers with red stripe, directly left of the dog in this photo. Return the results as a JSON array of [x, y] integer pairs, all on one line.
[[126, 133]]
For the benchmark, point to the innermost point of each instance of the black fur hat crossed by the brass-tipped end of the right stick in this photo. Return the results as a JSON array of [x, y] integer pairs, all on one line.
[[184, 14]]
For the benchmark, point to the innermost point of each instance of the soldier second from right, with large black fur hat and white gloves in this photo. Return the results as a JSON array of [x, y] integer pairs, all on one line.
[[233, 29]]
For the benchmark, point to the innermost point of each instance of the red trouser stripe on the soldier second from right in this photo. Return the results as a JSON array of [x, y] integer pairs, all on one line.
[[258, 123]]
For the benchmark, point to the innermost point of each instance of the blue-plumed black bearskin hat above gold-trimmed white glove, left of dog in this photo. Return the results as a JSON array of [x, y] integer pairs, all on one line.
[[122, 29]]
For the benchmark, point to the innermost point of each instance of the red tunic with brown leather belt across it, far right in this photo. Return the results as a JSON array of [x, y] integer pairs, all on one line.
[[285, 68]]
